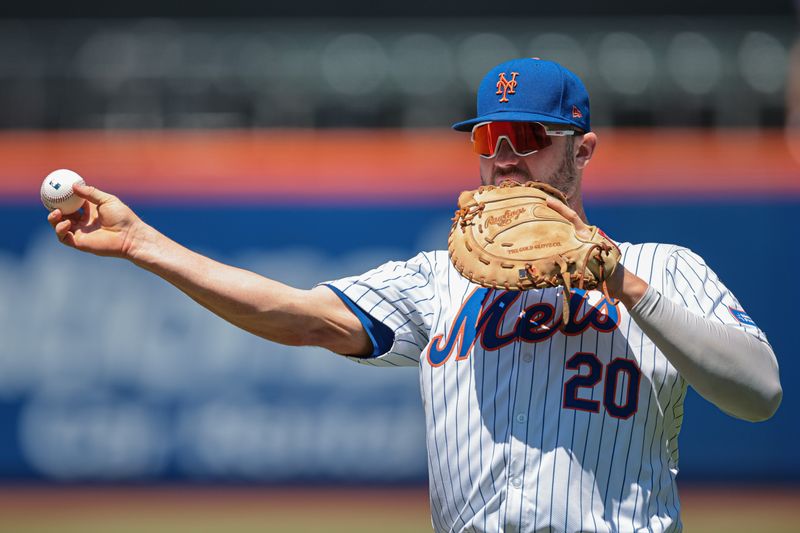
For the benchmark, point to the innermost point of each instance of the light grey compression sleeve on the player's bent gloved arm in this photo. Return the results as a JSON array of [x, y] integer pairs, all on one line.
[[728, 367]]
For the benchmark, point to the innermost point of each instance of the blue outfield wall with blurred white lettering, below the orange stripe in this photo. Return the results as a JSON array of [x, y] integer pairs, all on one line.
[[108, 373]]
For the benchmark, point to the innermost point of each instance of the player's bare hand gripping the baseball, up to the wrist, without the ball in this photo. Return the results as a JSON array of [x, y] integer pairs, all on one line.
[[104, 227]]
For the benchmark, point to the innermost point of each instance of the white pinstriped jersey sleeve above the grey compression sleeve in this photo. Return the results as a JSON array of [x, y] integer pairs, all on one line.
[[692, 283]]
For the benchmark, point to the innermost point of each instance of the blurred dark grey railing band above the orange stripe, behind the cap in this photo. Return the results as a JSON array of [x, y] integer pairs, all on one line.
[[159, 73]]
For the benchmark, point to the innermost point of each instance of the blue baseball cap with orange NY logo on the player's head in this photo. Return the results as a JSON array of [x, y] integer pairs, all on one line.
[[531, 90]]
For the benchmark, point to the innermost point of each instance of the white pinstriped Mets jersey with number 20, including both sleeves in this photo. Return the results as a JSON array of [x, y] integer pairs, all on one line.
[[536, 427]]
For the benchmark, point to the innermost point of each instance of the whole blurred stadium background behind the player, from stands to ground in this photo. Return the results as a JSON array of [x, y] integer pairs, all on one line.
[[253, 132]]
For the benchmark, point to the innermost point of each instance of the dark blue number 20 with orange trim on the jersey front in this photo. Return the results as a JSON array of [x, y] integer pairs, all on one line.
[[613, 370]]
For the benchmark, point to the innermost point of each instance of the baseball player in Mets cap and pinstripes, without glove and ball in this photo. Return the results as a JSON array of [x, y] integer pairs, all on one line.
[[533, 423]]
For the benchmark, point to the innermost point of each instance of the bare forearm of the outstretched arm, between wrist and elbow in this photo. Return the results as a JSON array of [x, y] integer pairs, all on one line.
[[252, 302]]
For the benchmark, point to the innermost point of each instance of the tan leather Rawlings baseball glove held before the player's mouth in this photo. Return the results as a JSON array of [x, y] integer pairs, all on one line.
[[506, 237]]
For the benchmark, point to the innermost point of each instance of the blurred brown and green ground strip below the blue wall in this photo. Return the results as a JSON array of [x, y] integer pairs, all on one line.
[[334, 510]]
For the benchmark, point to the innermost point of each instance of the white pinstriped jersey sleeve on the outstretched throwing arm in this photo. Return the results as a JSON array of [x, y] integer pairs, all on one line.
[[402, 296]]
